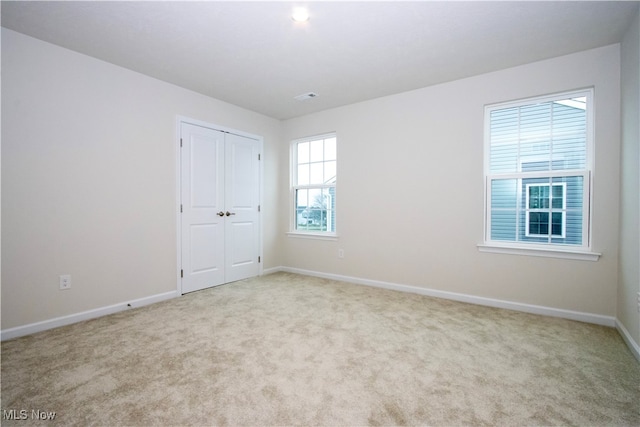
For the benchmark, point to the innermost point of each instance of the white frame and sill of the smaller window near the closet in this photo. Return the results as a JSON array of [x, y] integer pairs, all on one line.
[[294, 187]]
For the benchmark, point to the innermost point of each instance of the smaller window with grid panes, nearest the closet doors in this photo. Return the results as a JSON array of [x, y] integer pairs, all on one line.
[[314, 185]]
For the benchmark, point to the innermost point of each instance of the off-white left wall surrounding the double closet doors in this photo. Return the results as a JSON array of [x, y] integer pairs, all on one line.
[[89, 180]]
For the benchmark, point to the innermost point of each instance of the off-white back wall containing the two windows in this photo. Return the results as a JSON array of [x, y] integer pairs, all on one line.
[[410, 189]]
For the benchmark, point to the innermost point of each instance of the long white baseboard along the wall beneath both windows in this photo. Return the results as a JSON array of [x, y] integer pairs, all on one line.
[[471, 299]]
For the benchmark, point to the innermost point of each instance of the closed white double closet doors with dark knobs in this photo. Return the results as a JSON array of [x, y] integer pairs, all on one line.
[[220, 210]]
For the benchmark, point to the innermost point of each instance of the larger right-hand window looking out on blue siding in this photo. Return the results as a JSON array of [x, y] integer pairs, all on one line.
[[538, 155]]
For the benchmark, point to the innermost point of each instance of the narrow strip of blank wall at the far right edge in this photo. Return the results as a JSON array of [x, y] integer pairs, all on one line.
[[629, 283]]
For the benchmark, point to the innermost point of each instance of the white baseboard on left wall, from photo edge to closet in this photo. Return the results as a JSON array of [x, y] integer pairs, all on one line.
[[85, 315]]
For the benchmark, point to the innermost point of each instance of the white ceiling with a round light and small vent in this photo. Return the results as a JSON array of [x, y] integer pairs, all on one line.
[[252, 54]]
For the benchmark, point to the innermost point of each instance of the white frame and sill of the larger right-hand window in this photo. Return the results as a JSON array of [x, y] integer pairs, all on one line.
[[583, 252]]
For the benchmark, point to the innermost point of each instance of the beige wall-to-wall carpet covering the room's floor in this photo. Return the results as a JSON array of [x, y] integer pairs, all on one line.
[[286, 349]]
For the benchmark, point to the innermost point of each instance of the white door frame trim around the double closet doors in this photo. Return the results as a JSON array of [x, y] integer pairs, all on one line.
[[259, 140]]
